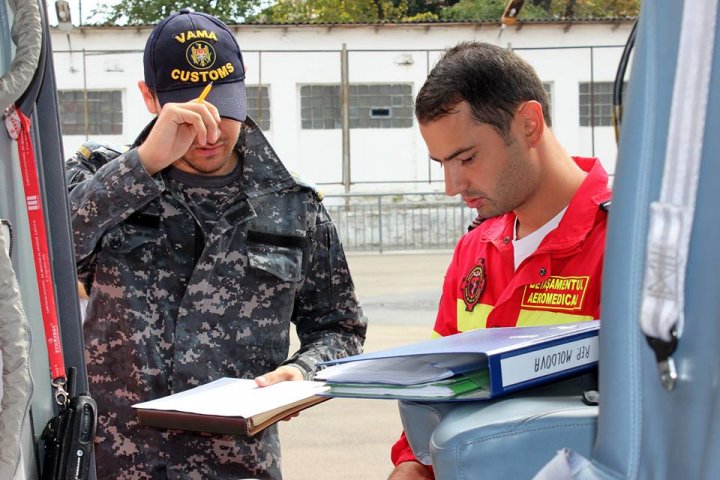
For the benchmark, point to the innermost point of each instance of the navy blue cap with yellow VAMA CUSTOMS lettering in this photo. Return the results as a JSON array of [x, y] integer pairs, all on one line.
[[188, 50]]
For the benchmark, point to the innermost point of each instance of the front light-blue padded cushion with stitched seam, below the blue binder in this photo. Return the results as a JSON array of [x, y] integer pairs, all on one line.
[[510, 438]]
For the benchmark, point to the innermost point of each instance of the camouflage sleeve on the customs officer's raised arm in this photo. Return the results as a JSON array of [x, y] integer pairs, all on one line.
[[101, 196]]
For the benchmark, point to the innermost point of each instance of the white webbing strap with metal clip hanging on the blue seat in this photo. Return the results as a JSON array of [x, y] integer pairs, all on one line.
[[671, 217]]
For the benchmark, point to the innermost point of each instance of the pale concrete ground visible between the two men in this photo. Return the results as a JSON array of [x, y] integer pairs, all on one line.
[[350, 439]]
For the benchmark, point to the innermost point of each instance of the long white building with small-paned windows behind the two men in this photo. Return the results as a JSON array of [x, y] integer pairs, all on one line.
[[297, 69]]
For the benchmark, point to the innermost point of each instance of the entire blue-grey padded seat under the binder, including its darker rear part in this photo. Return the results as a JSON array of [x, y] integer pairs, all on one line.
[[508, 437]]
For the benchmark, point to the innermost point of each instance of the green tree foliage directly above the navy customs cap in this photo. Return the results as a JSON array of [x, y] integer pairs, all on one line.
[[148, 12]]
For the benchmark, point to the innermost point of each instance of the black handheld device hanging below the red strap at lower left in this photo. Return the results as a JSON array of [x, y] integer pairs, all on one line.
[[68, 440]]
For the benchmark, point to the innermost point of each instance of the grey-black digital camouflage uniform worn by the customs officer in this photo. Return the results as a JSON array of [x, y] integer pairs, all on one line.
[[162, 318]]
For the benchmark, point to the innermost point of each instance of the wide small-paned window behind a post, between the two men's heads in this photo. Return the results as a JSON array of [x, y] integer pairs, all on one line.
[[371, 106]]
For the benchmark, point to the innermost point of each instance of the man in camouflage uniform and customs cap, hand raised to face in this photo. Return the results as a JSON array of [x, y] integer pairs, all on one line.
[[198, 249]]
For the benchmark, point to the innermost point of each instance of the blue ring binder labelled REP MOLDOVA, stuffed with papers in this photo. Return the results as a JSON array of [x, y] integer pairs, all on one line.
[[478, 364]]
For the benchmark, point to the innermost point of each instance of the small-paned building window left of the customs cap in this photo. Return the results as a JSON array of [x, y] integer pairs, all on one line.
[[104, 112]]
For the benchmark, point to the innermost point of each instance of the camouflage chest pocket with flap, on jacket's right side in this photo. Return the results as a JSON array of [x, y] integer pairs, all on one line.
[[282, 261]]
